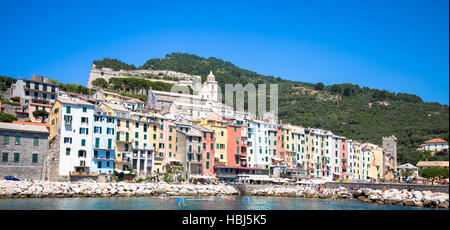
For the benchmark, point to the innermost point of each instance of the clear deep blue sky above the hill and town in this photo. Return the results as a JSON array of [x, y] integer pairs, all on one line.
[[401, 46]]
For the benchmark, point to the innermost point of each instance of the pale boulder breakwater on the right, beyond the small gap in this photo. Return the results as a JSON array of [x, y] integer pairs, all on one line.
[[391, 196]]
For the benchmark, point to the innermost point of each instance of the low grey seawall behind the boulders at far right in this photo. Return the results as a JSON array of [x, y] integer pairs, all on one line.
[[409, 187]]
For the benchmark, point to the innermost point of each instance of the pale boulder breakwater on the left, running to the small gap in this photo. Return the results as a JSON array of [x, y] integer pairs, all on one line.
[[23, 189]]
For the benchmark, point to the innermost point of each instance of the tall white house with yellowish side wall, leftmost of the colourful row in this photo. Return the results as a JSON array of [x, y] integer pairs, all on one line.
[[71, 130]]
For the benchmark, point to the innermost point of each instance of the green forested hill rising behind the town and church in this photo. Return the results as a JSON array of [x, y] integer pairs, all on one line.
[[359, 113]]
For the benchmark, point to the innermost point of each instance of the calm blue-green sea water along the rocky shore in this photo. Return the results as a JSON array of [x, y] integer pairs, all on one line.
[[193, 203]]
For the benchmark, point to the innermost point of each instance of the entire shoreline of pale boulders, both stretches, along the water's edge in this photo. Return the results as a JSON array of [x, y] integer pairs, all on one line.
[[23, 189]]
